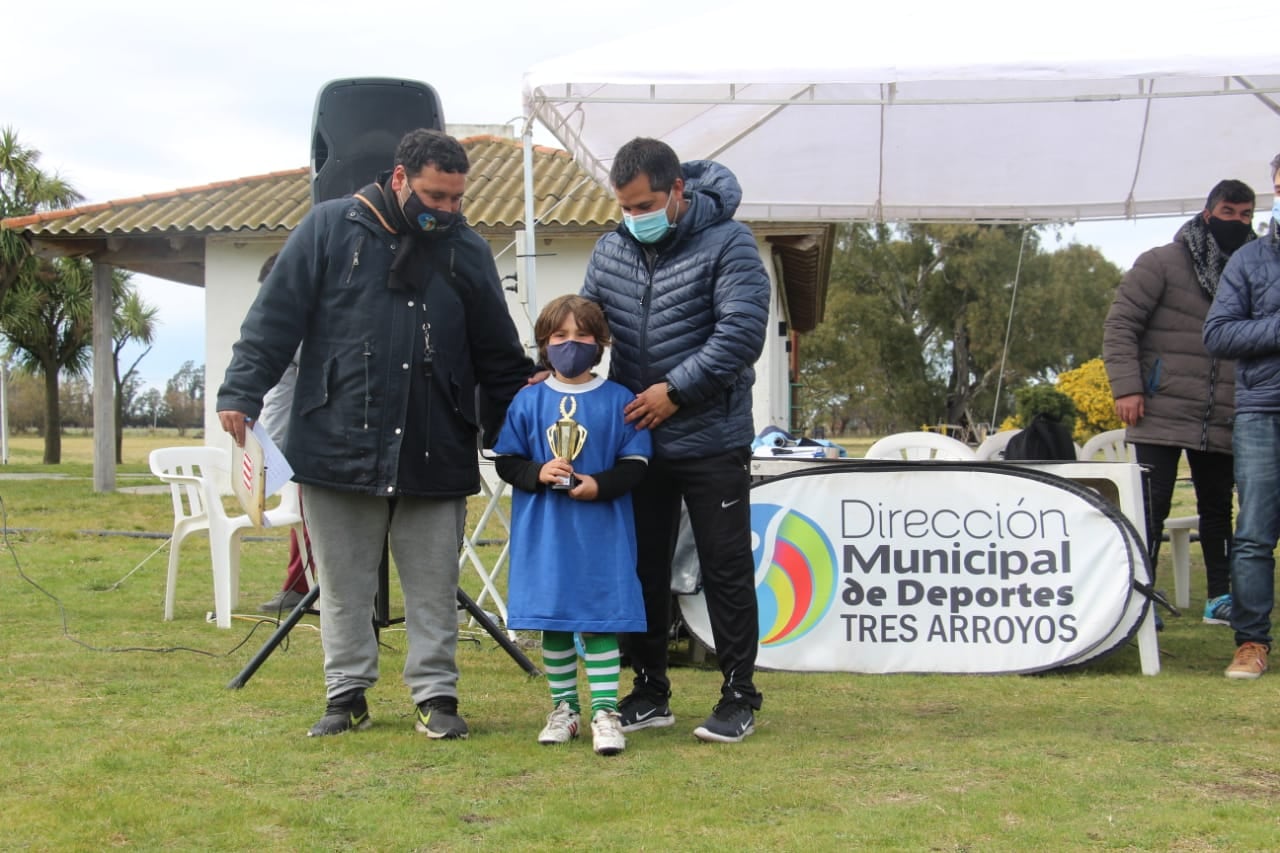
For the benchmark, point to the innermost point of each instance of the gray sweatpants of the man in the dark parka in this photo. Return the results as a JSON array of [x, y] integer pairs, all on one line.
[[348, 533]]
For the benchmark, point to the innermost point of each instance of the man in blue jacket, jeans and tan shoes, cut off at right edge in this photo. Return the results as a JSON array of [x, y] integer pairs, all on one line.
[[1245, 325]]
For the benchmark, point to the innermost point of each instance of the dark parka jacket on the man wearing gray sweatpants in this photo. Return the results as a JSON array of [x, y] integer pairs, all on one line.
[[372, 412]]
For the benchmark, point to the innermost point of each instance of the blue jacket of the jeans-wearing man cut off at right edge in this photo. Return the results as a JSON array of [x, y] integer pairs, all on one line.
[[1245, 323]]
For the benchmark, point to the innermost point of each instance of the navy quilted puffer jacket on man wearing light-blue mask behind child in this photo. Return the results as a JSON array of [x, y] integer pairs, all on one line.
[[691, 311]]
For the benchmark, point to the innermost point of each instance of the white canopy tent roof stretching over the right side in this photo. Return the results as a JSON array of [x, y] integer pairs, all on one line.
[[939, 111]]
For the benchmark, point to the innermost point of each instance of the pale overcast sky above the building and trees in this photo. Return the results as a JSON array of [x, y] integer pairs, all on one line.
[[140, 97]]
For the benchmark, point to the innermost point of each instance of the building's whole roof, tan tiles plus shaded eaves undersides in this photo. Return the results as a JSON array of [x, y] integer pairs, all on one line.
[[164, 234]]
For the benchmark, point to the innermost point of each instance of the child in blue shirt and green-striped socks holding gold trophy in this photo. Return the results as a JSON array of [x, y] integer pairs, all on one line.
[[573, 459]]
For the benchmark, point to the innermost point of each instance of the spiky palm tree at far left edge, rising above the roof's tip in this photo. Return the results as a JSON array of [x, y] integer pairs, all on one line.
[[25, 190]]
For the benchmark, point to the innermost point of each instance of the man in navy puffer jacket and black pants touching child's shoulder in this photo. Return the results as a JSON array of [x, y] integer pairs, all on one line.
[[688, 303]]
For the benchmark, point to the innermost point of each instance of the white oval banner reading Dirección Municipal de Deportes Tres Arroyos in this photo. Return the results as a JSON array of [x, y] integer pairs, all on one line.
[[948, 568]]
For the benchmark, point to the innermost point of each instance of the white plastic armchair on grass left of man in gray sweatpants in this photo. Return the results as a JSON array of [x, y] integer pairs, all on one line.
[[195, 477]]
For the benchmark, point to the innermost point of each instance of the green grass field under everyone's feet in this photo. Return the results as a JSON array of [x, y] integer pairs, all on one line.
[[117, 731]]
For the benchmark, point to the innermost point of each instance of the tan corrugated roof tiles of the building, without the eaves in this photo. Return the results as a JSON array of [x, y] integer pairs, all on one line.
[[277, 202]]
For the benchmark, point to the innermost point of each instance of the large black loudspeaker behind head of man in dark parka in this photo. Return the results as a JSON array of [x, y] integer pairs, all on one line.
[[358, 126]]
